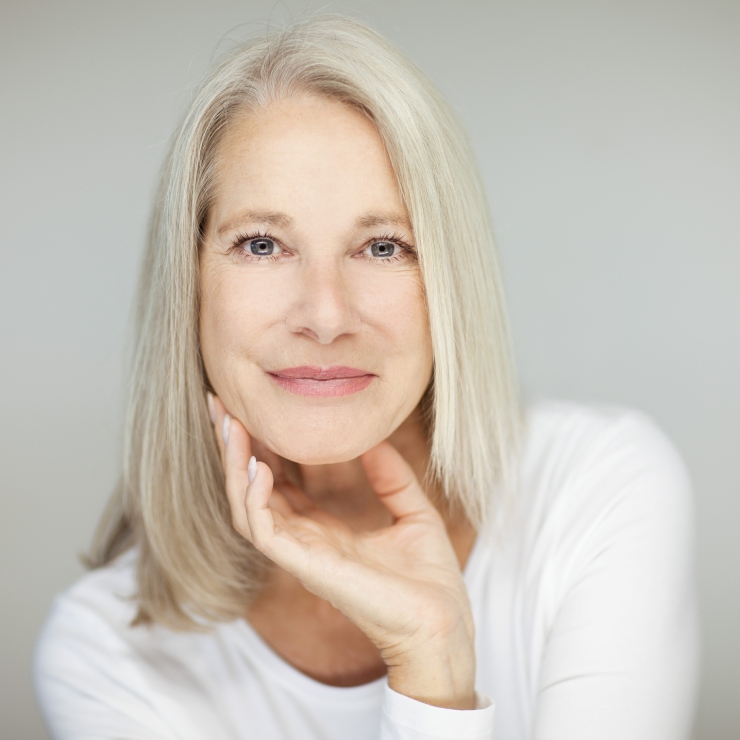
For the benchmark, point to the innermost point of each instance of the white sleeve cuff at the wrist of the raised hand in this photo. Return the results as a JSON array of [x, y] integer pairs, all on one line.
[[404, 718]]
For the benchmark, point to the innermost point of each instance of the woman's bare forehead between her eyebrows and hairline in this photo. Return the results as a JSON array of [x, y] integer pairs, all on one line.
[[307, 154]]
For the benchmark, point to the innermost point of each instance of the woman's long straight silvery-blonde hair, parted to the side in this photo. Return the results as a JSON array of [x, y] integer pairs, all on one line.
[[171, 503]]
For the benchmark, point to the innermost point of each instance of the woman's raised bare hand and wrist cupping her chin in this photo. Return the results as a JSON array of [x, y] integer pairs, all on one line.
[[401, 585]]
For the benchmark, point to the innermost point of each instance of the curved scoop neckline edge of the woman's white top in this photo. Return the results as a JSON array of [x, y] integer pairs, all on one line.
[[288, 675]]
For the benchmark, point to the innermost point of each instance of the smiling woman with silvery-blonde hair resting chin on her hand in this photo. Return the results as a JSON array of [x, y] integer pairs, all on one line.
[[334, 521]]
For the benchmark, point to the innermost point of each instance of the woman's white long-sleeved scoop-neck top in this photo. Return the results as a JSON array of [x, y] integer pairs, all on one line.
[[585, 623]]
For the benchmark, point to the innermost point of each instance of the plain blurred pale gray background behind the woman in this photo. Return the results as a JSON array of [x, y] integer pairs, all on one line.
[[608, 135]]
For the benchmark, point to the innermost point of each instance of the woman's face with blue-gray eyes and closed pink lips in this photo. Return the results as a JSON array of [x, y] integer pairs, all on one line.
[[313, 325]]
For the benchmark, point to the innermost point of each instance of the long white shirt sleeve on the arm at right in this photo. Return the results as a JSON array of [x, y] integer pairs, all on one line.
[[620, 657]]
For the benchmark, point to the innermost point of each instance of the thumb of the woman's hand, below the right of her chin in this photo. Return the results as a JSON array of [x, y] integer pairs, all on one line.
[[392, 478]]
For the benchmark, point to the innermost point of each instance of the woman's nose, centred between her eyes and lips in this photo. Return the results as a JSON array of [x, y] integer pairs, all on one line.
[[323, 308]]
